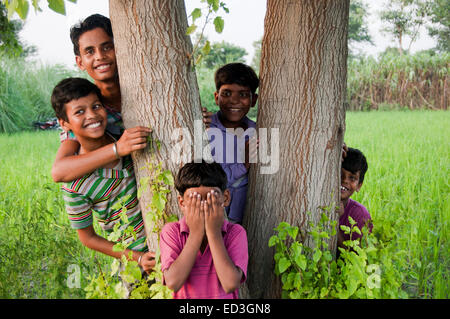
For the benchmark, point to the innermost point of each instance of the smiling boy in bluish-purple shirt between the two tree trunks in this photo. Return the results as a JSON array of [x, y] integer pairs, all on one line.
[[230, 130]]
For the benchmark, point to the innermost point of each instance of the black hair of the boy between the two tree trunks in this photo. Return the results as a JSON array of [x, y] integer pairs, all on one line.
[[236, 73]]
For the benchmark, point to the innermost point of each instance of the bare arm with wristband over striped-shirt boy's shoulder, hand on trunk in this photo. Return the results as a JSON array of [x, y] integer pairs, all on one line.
[[68, 166]]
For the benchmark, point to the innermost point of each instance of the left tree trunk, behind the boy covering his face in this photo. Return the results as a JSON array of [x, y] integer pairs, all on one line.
[[158, 86]]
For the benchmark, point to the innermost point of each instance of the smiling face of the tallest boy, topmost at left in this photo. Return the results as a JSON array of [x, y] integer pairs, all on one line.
[[97, 55]]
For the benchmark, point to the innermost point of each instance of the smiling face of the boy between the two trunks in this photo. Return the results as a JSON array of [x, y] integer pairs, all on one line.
[[234, 102]]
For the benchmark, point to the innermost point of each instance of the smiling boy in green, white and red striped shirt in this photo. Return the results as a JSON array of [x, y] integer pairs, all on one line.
[[108, 192]]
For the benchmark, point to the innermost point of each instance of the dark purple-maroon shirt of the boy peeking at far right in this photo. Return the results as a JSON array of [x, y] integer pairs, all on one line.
[[359, 213]]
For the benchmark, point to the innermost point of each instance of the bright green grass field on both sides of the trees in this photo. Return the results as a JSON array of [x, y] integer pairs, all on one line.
[[406, 190]]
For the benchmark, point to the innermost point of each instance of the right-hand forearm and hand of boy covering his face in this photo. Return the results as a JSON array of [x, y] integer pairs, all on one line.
[[229, 275]]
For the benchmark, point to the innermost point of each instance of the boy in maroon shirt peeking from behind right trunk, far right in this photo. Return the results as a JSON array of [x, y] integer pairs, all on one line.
[[354, 167]]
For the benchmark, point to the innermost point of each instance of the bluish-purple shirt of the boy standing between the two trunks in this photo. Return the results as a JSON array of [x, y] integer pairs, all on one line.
[[228, 150]]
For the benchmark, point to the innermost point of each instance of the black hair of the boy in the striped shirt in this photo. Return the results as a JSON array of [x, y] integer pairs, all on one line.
[[71, 89]]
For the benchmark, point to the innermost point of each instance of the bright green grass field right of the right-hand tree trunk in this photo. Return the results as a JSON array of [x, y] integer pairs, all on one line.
[[406, 190]]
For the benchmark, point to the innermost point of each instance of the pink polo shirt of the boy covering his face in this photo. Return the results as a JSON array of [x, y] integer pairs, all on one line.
[[203, 282]]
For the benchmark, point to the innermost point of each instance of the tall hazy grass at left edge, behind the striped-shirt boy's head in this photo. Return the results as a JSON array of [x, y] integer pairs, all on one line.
[[25, 89]]
